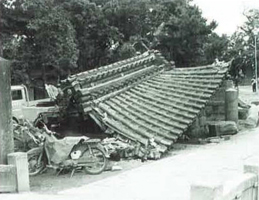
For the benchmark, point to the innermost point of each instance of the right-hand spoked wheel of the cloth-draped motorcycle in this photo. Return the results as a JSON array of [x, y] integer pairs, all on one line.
[[97, 159]]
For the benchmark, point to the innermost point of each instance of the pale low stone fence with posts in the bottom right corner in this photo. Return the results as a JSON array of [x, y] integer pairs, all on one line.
[[242, 187]]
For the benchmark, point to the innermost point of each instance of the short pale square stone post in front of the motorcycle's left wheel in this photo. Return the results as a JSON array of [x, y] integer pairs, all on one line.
[[20, 161]]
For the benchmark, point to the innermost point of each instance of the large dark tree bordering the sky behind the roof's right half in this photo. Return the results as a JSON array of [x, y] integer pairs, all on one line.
[[166, 27]]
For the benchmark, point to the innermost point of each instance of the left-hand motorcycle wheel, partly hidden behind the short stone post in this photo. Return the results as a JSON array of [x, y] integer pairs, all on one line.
[[35, 165]]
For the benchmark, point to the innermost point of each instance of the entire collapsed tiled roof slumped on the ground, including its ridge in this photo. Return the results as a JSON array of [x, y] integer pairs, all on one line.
[[143, 98]]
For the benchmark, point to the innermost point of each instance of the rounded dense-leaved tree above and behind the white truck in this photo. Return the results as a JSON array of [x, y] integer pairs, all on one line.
[[54, 43]]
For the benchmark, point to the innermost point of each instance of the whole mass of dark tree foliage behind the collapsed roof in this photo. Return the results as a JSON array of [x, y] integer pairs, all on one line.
[[78, 35]]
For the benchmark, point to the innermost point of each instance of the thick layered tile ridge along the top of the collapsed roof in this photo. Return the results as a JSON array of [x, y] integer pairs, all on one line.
[[110, 80]]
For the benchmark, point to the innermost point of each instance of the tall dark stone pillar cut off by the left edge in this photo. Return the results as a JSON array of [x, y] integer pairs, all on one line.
[[6, 133]]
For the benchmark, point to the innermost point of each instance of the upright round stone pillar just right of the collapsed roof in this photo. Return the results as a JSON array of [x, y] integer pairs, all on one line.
[[231, 105]]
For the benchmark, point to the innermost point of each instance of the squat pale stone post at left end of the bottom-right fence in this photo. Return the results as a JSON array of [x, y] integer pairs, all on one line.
[[206, 191]]
